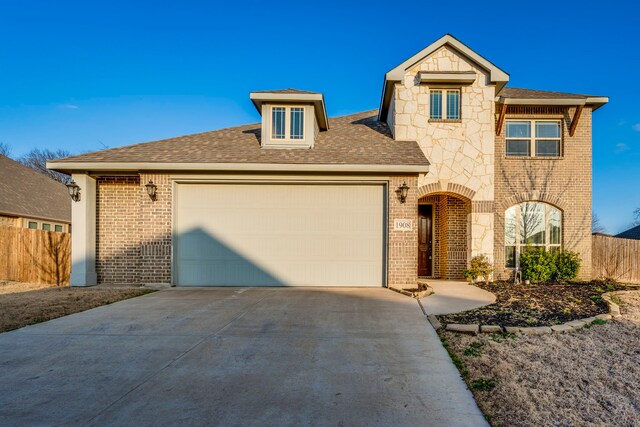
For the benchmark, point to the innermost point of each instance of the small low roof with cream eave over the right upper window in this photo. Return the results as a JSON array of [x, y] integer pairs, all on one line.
[[513, 95]]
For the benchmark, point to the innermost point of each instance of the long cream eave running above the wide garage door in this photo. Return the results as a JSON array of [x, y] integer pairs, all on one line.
[[85, 167]]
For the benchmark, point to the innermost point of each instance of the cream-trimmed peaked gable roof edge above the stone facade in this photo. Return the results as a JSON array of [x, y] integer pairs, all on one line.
[[496, 75]]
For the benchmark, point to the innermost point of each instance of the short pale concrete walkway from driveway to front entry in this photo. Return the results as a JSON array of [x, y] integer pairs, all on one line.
[[450, 296]]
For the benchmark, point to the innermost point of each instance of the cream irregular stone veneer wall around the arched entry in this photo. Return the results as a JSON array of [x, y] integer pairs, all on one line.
[[461, 152]]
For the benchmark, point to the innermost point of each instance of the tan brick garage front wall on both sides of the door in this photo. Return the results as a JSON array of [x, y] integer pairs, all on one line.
[[134, 240]]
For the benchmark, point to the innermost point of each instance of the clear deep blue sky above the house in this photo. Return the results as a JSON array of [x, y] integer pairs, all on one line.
[[88, 75]]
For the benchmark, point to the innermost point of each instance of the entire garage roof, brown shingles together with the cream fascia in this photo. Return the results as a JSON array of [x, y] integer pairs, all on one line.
[[357, 142]]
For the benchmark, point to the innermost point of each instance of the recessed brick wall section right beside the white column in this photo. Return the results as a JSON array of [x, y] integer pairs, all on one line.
[[118, 237]]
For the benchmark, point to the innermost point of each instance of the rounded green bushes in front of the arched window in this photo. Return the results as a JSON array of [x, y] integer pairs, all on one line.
[[538, 265]]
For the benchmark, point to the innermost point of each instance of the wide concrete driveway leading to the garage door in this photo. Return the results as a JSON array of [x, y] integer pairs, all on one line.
[[235, 356]]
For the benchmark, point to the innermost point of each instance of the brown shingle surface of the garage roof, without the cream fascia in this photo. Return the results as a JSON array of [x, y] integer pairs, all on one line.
[[358, 139]]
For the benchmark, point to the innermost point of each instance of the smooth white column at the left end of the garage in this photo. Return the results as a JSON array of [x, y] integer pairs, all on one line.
[[83, 233]]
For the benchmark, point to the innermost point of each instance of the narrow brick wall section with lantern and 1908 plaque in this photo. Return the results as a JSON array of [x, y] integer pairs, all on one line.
[[403, 245]]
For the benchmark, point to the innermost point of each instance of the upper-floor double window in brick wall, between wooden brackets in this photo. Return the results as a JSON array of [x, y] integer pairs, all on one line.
[[533, 138]]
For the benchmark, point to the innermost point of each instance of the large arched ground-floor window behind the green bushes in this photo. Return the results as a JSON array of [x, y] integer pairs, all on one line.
[[531, 224]]
